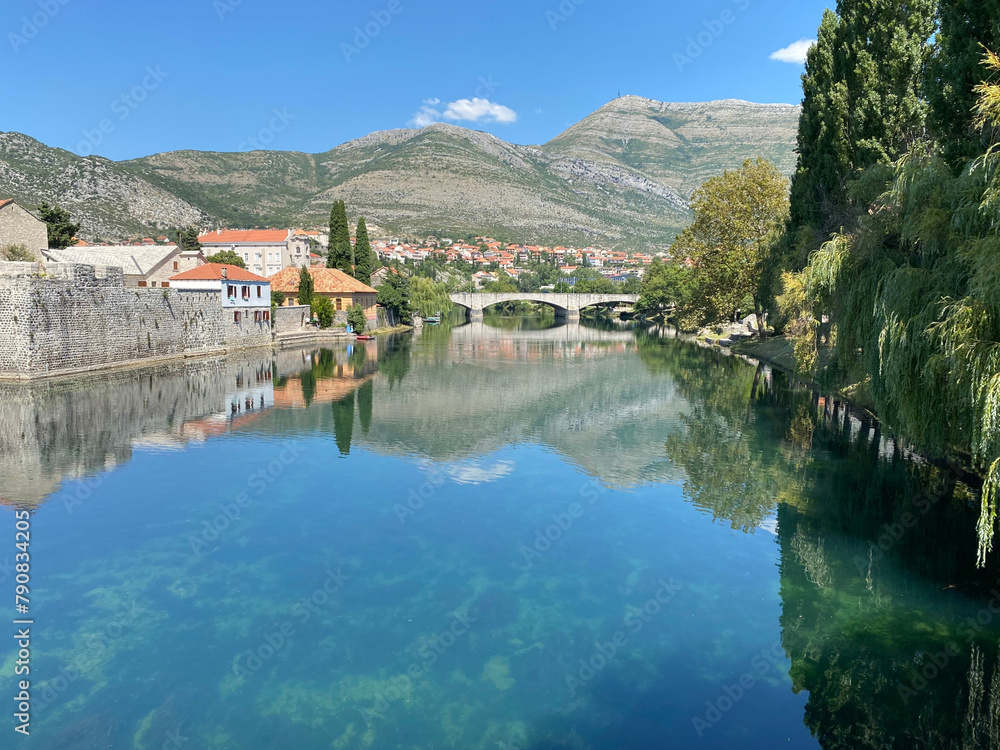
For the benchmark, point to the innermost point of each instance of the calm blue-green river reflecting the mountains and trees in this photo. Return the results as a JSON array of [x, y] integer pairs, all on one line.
[[514, 536]]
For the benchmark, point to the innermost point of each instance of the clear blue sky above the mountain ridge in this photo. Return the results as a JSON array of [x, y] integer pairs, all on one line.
[[126, 79]]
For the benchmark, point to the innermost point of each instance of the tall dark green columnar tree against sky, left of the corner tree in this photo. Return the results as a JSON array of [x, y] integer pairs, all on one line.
[[863, 102]]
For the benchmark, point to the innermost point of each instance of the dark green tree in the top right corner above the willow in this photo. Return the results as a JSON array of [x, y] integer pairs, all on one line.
[[954, 71]]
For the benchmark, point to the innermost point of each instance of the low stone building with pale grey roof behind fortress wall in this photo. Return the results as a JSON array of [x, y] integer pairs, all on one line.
[[142, 265]]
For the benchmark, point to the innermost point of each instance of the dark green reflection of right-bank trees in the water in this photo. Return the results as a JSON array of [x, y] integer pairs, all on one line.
[[878, 576]]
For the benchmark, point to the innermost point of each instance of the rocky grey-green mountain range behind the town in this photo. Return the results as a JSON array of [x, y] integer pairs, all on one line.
[[619, 178]]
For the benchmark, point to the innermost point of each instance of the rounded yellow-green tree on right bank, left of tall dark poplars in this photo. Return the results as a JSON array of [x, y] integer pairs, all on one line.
[[738, 217]]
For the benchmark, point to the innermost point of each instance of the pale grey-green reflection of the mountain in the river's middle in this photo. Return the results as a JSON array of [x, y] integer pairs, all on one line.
[[474, 389]]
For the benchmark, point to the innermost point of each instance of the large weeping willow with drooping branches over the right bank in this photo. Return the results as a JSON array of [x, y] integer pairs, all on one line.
[[914, 294]]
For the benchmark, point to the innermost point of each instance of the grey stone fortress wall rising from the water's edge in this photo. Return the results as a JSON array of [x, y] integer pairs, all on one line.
[[60, 318]]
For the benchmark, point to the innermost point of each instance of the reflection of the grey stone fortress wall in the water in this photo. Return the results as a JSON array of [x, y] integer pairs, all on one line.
[[72, 428]]
